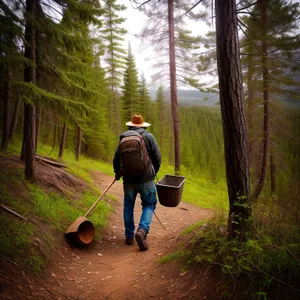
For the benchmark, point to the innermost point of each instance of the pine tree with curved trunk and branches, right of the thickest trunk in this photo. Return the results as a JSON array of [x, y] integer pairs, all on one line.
[[270, 50]]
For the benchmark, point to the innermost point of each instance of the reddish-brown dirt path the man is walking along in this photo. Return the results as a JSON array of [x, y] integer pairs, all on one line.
[[112, 270]]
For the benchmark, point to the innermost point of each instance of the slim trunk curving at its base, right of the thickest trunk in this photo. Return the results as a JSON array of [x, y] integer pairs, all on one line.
[[266, 127]]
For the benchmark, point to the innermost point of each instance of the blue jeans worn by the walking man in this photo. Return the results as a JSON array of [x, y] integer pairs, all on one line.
[[147, 190]]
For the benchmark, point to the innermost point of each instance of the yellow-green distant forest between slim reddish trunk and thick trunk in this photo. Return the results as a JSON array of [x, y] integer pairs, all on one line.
[[202, 142]]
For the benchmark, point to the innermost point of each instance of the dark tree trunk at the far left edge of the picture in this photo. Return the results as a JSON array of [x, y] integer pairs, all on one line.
[[5, 130]]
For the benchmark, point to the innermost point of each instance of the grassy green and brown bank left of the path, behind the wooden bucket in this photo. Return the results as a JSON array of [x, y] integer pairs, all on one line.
[[30, 243]]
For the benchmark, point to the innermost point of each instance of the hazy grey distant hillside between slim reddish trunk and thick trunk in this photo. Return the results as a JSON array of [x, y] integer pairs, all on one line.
[[192, 97]]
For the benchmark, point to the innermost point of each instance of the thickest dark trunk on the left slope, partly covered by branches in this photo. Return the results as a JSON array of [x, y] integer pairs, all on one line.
[[29, 76]]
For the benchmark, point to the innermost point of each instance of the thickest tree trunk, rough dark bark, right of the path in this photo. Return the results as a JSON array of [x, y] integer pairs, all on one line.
[[233, 119]]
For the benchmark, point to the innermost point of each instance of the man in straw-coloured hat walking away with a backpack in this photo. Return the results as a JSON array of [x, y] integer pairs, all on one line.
[[137, 159]]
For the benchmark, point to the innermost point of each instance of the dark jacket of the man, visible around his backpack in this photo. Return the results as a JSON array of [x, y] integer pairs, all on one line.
[[153, 152]]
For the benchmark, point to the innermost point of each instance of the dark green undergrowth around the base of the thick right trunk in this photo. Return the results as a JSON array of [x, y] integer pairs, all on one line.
[[268, 259]]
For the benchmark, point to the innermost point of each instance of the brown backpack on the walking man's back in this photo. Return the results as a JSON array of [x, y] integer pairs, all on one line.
[[134, 158]]
